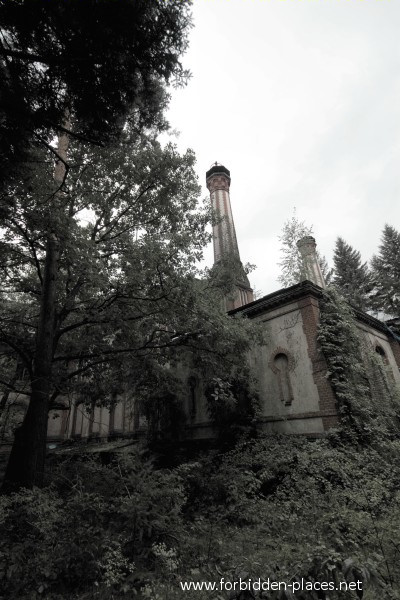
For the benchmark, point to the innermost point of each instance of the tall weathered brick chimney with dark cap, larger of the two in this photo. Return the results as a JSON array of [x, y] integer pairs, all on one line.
[[218, 180]]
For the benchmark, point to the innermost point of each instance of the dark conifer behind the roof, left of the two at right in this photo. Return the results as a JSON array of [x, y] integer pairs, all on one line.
[[351, 276]]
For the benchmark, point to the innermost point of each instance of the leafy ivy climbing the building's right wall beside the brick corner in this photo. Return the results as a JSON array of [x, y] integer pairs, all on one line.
[[367, 398]]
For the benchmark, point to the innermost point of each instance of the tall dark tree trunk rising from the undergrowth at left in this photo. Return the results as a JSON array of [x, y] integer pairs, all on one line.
[[26, 464]]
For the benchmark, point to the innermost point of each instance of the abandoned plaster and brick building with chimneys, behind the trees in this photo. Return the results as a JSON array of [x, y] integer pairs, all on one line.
[[296, 396]]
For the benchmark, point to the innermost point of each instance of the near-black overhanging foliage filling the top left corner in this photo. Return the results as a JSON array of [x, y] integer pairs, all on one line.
[[101, 61]]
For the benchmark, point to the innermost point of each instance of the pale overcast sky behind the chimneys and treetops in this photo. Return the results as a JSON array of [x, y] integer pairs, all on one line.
[[300, 99]]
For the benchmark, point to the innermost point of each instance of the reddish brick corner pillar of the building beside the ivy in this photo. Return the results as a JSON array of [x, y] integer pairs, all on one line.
[[309, 309]]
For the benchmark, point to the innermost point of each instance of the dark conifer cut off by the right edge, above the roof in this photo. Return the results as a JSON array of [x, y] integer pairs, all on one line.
[[385, 268]]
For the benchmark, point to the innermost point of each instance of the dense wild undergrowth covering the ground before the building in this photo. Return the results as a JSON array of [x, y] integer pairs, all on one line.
[[276, 507]]
